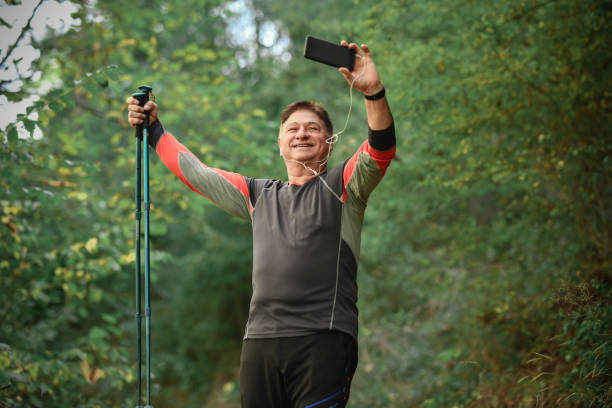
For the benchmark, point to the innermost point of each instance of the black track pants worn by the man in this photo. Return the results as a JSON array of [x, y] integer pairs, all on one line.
[[313, 371]]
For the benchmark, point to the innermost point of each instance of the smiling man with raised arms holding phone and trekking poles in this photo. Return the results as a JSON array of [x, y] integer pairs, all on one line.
[[300, 341]]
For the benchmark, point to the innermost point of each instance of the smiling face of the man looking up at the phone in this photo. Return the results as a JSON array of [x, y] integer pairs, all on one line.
[[302, 138]]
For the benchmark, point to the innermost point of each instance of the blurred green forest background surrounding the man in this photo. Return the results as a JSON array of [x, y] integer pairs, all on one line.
[[485, 269]]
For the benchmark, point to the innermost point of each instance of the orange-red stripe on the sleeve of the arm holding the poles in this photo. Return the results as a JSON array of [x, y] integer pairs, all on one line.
[[169, 150]]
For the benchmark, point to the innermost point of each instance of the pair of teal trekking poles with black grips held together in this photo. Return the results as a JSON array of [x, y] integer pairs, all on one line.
[[142, 132]]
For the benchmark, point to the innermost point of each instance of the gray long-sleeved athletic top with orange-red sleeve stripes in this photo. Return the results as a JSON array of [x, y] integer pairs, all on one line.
[[306, 238]]
